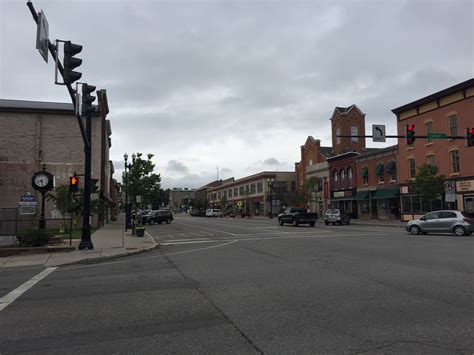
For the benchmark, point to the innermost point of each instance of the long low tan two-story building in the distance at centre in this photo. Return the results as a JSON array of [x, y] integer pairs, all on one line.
[[257, 194]]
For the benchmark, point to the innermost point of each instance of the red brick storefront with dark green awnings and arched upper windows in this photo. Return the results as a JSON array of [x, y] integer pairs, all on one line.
[[377, 184]]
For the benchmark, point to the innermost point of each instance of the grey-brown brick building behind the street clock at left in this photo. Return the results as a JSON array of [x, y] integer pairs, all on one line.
[[36, 134]]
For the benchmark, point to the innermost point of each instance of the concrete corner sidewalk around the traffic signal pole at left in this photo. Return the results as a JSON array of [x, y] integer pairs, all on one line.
[[110, 241]]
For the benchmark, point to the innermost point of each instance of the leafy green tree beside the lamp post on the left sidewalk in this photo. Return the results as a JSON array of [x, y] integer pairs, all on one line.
[[142, 181]]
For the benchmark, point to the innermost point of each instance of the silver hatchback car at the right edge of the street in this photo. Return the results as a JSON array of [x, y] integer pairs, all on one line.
[[446, 221]]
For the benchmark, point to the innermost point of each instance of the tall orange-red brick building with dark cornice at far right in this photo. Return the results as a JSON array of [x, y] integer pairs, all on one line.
[[448, 111]]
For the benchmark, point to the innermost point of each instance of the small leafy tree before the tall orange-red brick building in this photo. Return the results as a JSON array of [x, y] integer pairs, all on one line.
[[428, 184]]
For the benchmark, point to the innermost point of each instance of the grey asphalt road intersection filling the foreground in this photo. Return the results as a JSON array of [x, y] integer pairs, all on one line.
[[250, 286]]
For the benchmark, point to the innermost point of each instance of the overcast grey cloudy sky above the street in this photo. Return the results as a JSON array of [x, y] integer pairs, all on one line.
[[232, 88]]
